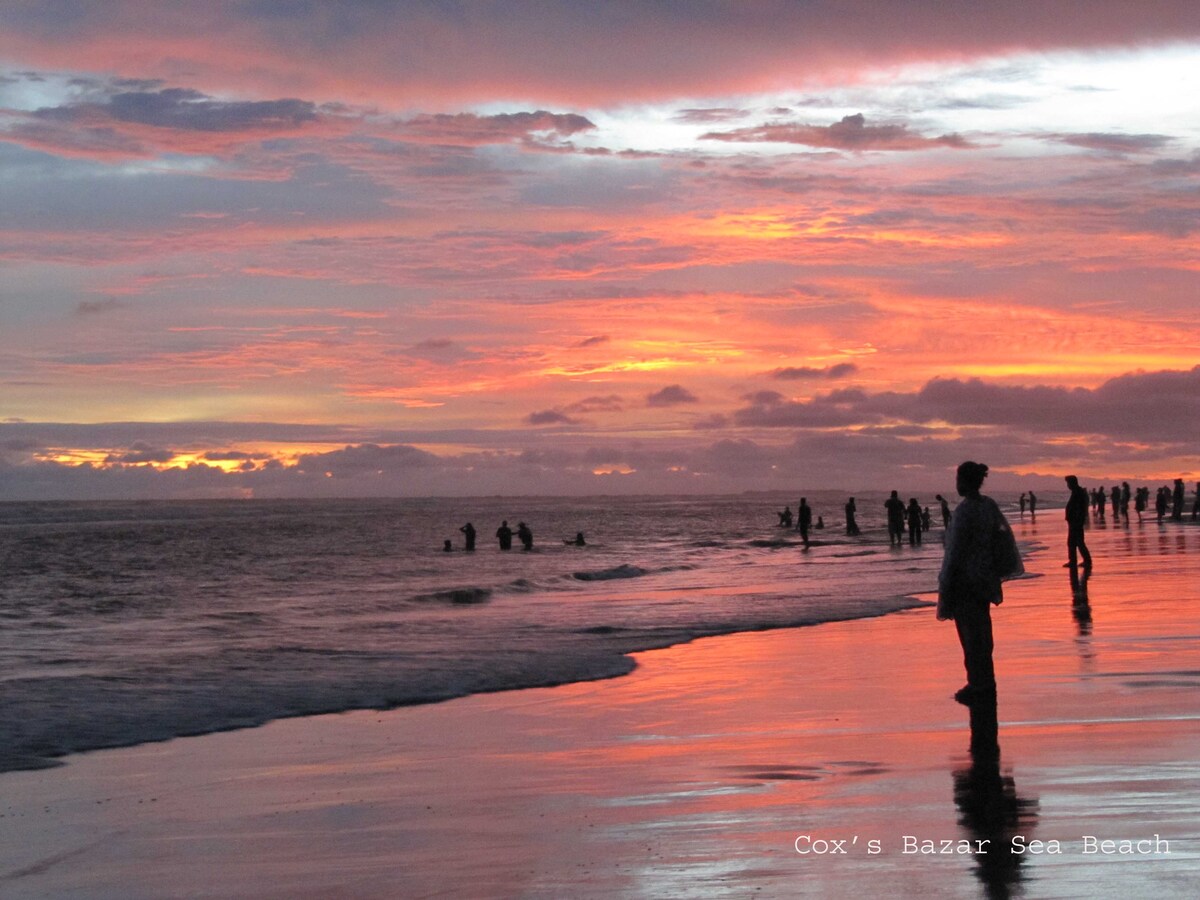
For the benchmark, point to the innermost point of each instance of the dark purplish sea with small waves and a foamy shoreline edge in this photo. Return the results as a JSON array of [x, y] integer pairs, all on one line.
[[131, 622]]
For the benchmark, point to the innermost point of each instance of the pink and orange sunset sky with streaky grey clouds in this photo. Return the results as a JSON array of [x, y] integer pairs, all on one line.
[[287, 248]]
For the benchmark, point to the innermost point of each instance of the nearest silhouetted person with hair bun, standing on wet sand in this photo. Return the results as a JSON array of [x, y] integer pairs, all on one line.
[[969, 584]]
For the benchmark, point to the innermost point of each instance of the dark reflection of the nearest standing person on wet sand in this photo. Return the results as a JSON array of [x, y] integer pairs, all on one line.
[[989, 808]]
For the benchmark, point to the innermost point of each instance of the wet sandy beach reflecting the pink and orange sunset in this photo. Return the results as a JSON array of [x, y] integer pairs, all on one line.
[[703, 773]]
